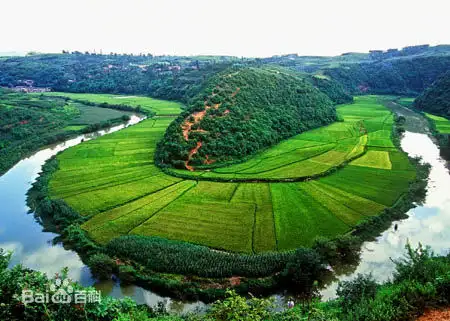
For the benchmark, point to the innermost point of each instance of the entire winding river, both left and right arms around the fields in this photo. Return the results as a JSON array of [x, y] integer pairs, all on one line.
[[428, 223]]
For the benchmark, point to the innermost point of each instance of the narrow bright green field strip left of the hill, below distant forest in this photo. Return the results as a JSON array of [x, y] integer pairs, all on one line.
[[160, 107]]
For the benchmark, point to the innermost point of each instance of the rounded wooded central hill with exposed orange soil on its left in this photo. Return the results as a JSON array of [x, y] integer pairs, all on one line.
[[240, 112]]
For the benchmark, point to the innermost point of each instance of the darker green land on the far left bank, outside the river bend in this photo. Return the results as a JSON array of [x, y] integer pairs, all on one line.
[[28, 122]]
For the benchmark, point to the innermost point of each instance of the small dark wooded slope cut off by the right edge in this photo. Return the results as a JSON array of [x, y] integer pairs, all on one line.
[[436, 98]]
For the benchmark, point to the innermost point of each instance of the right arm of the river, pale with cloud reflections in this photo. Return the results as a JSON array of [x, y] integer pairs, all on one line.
[[428, 224]]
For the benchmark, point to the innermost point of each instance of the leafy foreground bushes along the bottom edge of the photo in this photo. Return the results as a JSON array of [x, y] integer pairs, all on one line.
[[421, 280]]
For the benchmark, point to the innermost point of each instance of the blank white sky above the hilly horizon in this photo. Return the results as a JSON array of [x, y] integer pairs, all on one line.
[[236, 28]]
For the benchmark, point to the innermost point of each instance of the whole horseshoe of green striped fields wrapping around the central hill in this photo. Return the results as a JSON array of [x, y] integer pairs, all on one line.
[[113, 181]]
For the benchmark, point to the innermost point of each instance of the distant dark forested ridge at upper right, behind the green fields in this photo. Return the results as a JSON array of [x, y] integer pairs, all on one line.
[[404, 76]]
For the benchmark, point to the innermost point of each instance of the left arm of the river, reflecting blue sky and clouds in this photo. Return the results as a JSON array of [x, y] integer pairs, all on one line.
[[20, 233]]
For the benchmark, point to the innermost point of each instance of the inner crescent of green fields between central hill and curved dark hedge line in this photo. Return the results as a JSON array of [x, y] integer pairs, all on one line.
[[366, 124]]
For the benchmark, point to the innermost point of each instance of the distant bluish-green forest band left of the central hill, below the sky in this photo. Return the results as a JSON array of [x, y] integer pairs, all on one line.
[[172, 78]]
